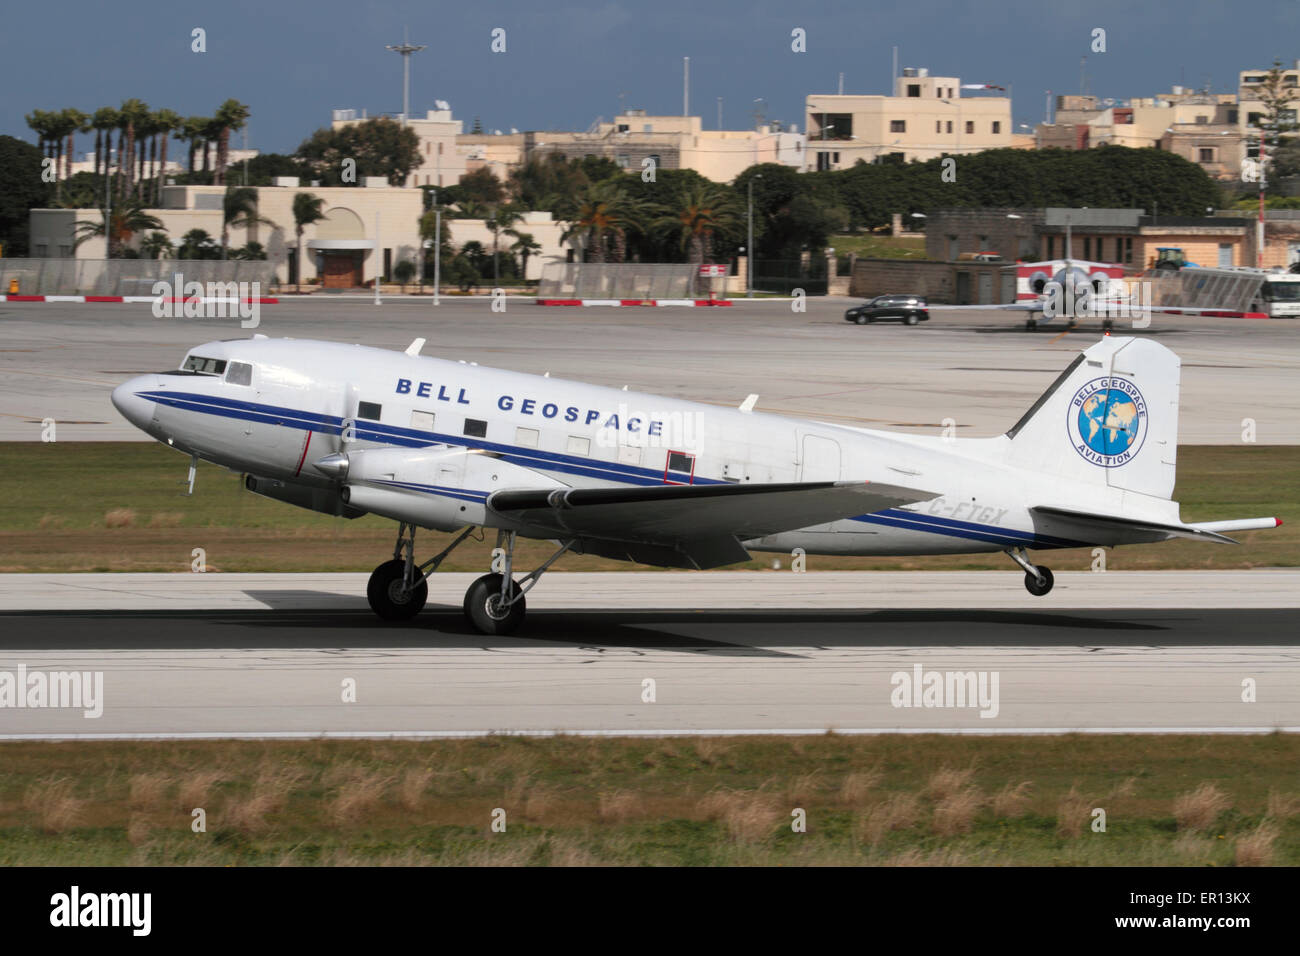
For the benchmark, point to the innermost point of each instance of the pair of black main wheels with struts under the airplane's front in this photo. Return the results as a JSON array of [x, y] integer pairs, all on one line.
[[495, 604]]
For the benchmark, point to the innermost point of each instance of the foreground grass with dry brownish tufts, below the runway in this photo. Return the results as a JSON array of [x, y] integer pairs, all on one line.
[[657, 802]]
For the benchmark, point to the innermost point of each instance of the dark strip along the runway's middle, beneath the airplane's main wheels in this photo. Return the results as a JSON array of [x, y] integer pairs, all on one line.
[[746, 633]]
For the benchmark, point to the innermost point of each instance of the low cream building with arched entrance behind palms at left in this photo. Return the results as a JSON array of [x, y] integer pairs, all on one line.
[[367, 230]]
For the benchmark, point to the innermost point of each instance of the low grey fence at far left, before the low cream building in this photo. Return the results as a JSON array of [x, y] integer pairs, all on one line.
[[125, 276]]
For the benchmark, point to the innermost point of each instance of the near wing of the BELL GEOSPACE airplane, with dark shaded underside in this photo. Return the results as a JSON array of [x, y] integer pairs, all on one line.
[[691, 526]]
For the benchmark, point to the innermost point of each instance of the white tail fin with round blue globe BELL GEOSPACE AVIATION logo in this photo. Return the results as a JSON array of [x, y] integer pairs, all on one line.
[[1111, 418]]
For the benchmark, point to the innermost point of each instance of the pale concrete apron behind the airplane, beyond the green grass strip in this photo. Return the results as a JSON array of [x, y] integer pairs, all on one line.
[[978, 369]]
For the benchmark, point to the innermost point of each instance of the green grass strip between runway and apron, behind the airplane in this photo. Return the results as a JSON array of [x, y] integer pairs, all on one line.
[[55, 517]]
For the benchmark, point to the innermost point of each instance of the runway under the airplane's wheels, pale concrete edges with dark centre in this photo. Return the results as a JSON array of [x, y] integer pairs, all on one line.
[[729, 652]]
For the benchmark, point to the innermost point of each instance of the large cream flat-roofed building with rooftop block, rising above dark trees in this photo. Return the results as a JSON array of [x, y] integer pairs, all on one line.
[[925, 118]]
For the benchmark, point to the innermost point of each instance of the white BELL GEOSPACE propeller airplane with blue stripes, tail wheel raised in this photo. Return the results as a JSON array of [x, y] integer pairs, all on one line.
[[348, 430]]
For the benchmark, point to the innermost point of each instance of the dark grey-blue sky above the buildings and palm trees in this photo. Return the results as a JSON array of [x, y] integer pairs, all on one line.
[[567, 62]]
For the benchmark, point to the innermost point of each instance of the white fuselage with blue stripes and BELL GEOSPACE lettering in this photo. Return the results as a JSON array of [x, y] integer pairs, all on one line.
[[307, 400]]
